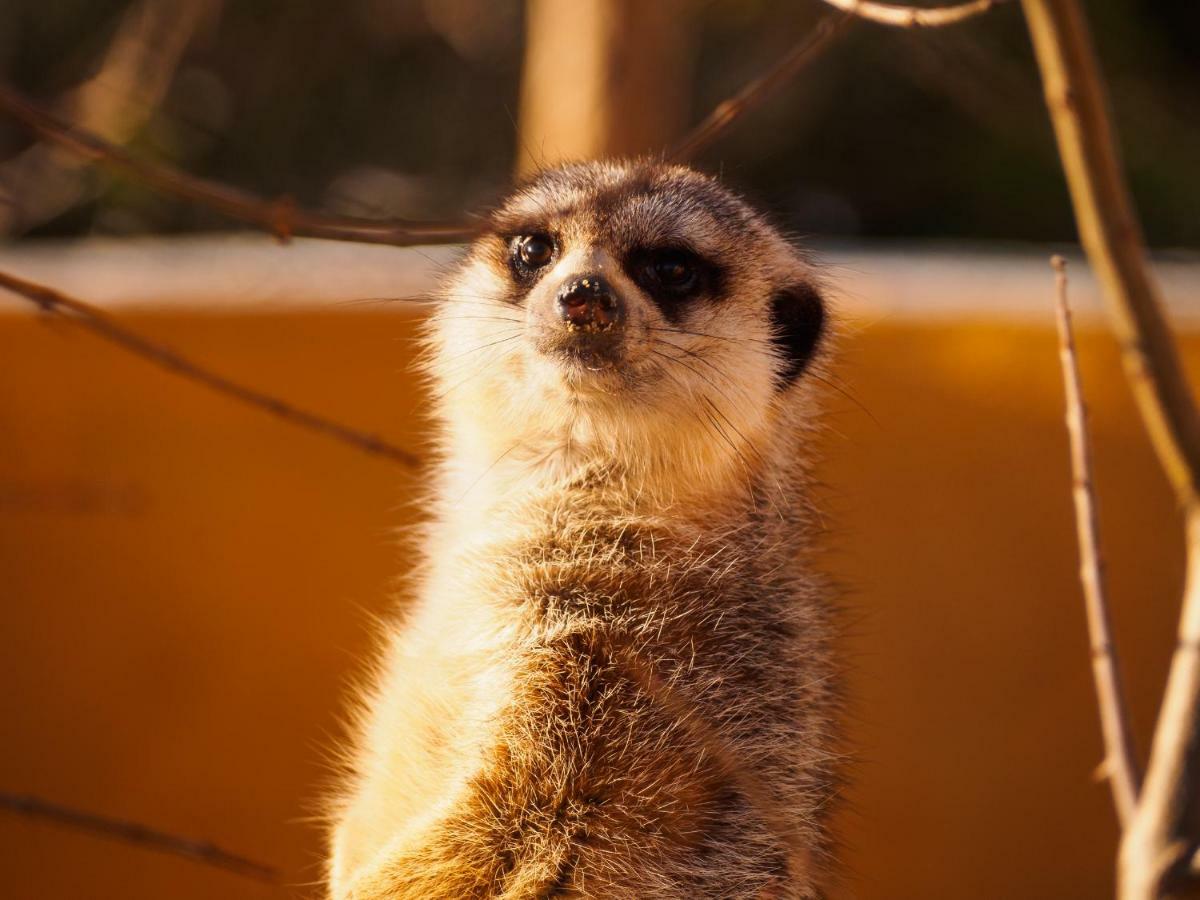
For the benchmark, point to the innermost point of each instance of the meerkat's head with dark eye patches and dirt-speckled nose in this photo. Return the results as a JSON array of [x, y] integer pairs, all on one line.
[[633, 316]]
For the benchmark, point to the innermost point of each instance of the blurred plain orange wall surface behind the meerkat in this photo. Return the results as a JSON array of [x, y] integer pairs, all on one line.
[[187, 585]]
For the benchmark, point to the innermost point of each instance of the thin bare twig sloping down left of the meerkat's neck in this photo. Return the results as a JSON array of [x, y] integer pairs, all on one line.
[[106, 327]]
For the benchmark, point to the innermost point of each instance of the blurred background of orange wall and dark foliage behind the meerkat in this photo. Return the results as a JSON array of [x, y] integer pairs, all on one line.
[[188, 587]]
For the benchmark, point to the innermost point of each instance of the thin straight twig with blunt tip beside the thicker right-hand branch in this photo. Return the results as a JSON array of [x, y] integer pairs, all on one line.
[[1120, 760]]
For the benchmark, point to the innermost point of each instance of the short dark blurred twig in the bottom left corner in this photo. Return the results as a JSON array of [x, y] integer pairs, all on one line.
[[199, 851]]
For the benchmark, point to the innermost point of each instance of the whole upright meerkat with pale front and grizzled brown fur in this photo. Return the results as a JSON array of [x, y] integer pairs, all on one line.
[[616, 679]]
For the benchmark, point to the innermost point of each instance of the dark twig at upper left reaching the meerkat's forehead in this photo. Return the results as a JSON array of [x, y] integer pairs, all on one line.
[[283, 218]]
